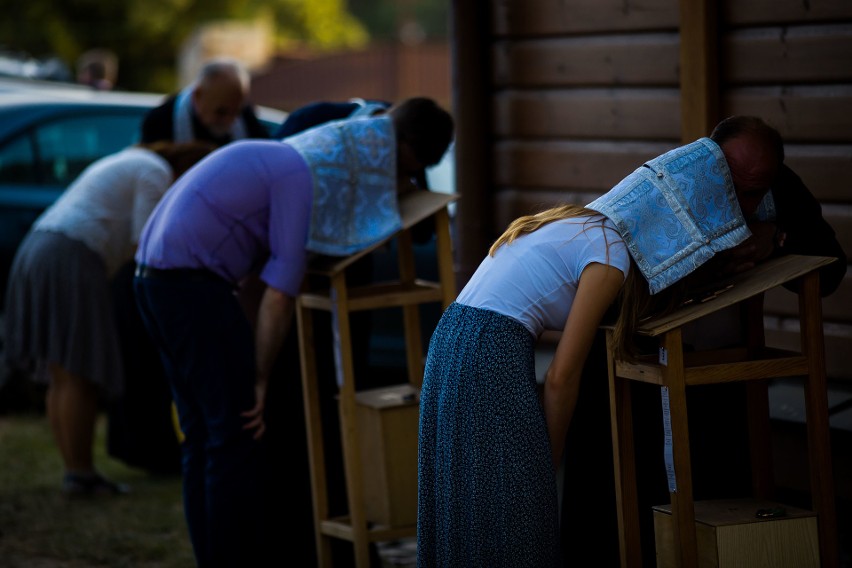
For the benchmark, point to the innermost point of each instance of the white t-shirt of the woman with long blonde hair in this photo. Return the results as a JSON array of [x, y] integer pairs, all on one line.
[[534, 279]]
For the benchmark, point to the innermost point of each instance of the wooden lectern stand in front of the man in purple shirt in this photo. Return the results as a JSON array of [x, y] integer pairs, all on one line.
[[408, 293]]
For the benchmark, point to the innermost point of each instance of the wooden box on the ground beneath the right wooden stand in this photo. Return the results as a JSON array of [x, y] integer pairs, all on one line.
[[729, 534]]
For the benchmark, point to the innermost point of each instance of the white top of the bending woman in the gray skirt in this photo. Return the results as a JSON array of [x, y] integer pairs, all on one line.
[[108, 204]]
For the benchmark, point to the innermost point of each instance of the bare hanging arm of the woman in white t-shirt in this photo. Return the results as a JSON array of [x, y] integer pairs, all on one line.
[[598, 287]]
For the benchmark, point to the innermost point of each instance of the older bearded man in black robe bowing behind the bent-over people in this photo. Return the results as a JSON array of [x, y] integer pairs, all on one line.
[[212, 109]]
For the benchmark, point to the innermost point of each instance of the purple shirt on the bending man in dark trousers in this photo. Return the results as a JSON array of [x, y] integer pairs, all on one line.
[[246, 207]]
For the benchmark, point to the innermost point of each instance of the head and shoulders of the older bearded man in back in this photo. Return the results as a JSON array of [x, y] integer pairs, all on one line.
[[214, 108]]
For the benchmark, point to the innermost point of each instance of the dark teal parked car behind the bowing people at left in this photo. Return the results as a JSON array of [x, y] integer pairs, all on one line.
[[49, 133]]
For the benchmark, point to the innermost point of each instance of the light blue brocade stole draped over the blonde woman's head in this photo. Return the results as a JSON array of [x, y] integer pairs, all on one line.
[[676, 211]]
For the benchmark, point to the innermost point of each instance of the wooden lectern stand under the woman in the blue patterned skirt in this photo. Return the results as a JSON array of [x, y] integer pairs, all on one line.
[[754, 362]]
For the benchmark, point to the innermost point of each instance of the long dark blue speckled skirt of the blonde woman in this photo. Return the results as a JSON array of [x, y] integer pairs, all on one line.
[[486, 488]]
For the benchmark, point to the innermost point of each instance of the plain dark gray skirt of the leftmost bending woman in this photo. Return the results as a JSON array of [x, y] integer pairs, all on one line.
[[59, 310]]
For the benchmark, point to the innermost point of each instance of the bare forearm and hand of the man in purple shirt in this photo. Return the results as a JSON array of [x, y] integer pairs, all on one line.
[[274, 320]]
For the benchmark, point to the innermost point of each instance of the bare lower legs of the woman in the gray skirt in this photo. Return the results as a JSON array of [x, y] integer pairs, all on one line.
[[72, 408]]
